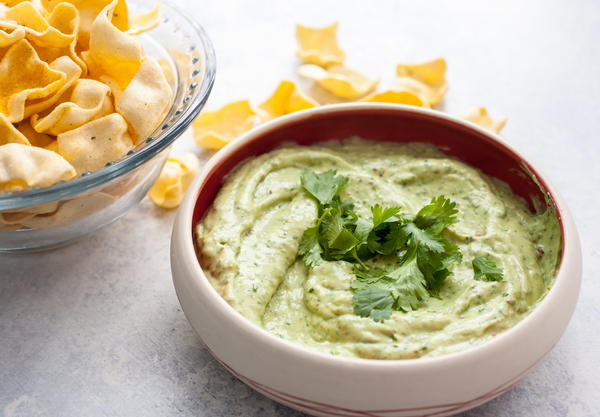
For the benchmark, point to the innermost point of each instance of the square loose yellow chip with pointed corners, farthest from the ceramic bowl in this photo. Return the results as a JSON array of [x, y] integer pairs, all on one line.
[[319, 45]]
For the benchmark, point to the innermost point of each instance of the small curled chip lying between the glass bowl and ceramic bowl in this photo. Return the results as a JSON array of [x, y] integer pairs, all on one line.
[[173, 181]]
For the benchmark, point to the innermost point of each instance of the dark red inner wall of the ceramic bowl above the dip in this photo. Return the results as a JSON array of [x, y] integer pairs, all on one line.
[[387, 123]]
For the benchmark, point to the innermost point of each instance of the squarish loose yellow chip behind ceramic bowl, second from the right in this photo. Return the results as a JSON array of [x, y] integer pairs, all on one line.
[[427, 80]]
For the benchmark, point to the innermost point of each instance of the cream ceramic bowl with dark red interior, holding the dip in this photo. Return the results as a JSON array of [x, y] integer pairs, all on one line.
[[325, 385]]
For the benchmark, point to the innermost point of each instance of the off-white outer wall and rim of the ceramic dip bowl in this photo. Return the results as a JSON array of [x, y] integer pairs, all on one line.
[[456, 382]]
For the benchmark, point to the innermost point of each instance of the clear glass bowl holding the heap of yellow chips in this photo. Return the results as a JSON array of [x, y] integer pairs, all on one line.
[[45, 218]]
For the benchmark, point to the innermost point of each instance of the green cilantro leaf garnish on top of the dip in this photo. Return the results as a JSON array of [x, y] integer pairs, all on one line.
[[423, 256]]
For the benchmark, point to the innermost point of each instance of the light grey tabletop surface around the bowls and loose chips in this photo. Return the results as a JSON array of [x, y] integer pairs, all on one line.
[[95, 329]]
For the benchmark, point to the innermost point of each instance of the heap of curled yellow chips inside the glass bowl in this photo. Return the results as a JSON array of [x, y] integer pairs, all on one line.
[[76, 89]]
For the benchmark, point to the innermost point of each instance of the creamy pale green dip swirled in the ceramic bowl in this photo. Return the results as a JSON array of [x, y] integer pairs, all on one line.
[[249, 241]]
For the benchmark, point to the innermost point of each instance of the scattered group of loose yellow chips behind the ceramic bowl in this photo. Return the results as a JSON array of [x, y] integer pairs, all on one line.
[[323, 62]]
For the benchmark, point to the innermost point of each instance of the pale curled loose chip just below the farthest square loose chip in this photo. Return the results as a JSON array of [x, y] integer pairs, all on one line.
[[344, 82]]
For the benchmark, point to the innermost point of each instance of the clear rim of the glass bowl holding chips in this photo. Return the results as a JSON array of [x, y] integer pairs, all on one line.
[[155, 145]]
